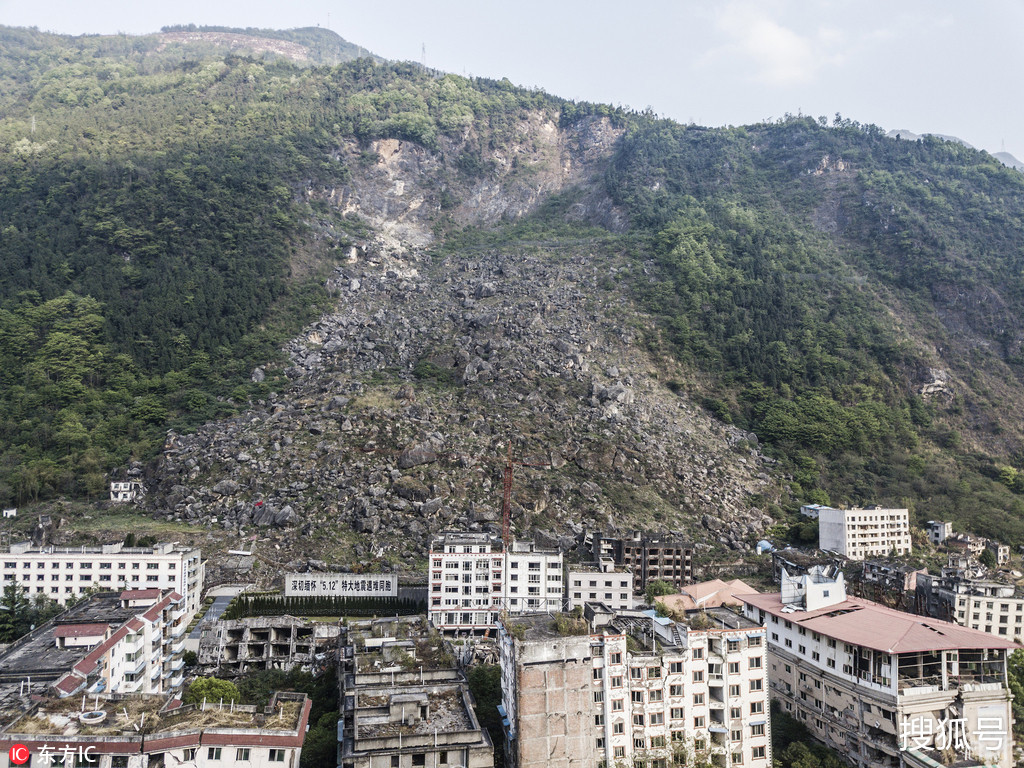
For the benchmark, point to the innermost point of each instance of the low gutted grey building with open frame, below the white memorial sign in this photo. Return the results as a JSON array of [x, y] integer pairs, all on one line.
[[234, 648]]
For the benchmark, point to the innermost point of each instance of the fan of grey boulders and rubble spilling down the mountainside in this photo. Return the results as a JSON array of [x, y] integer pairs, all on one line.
[[404, 401]]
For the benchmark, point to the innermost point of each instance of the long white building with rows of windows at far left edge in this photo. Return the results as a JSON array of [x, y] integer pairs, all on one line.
[[65, 574]]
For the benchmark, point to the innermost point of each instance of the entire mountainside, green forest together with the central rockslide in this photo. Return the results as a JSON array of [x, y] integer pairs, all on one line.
[[173, 214]]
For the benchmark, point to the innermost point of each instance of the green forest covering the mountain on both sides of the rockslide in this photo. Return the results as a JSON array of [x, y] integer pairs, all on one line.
[[812, 276]]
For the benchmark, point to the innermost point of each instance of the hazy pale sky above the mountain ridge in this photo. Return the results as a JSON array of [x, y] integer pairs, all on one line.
[[928, 66]]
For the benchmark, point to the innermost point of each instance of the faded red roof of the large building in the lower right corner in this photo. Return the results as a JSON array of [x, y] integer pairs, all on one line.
[[864, 623]]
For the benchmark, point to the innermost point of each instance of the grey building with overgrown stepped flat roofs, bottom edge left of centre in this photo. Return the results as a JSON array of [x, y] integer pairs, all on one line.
[[405, 705]]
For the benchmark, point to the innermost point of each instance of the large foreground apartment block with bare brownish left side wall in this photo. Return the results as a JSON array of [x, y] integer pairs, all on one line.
[[639, 691]]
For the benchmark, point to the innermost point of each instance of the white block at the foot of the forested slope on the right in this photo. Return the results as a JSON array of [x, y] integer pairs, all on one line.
[[872, 532]]
